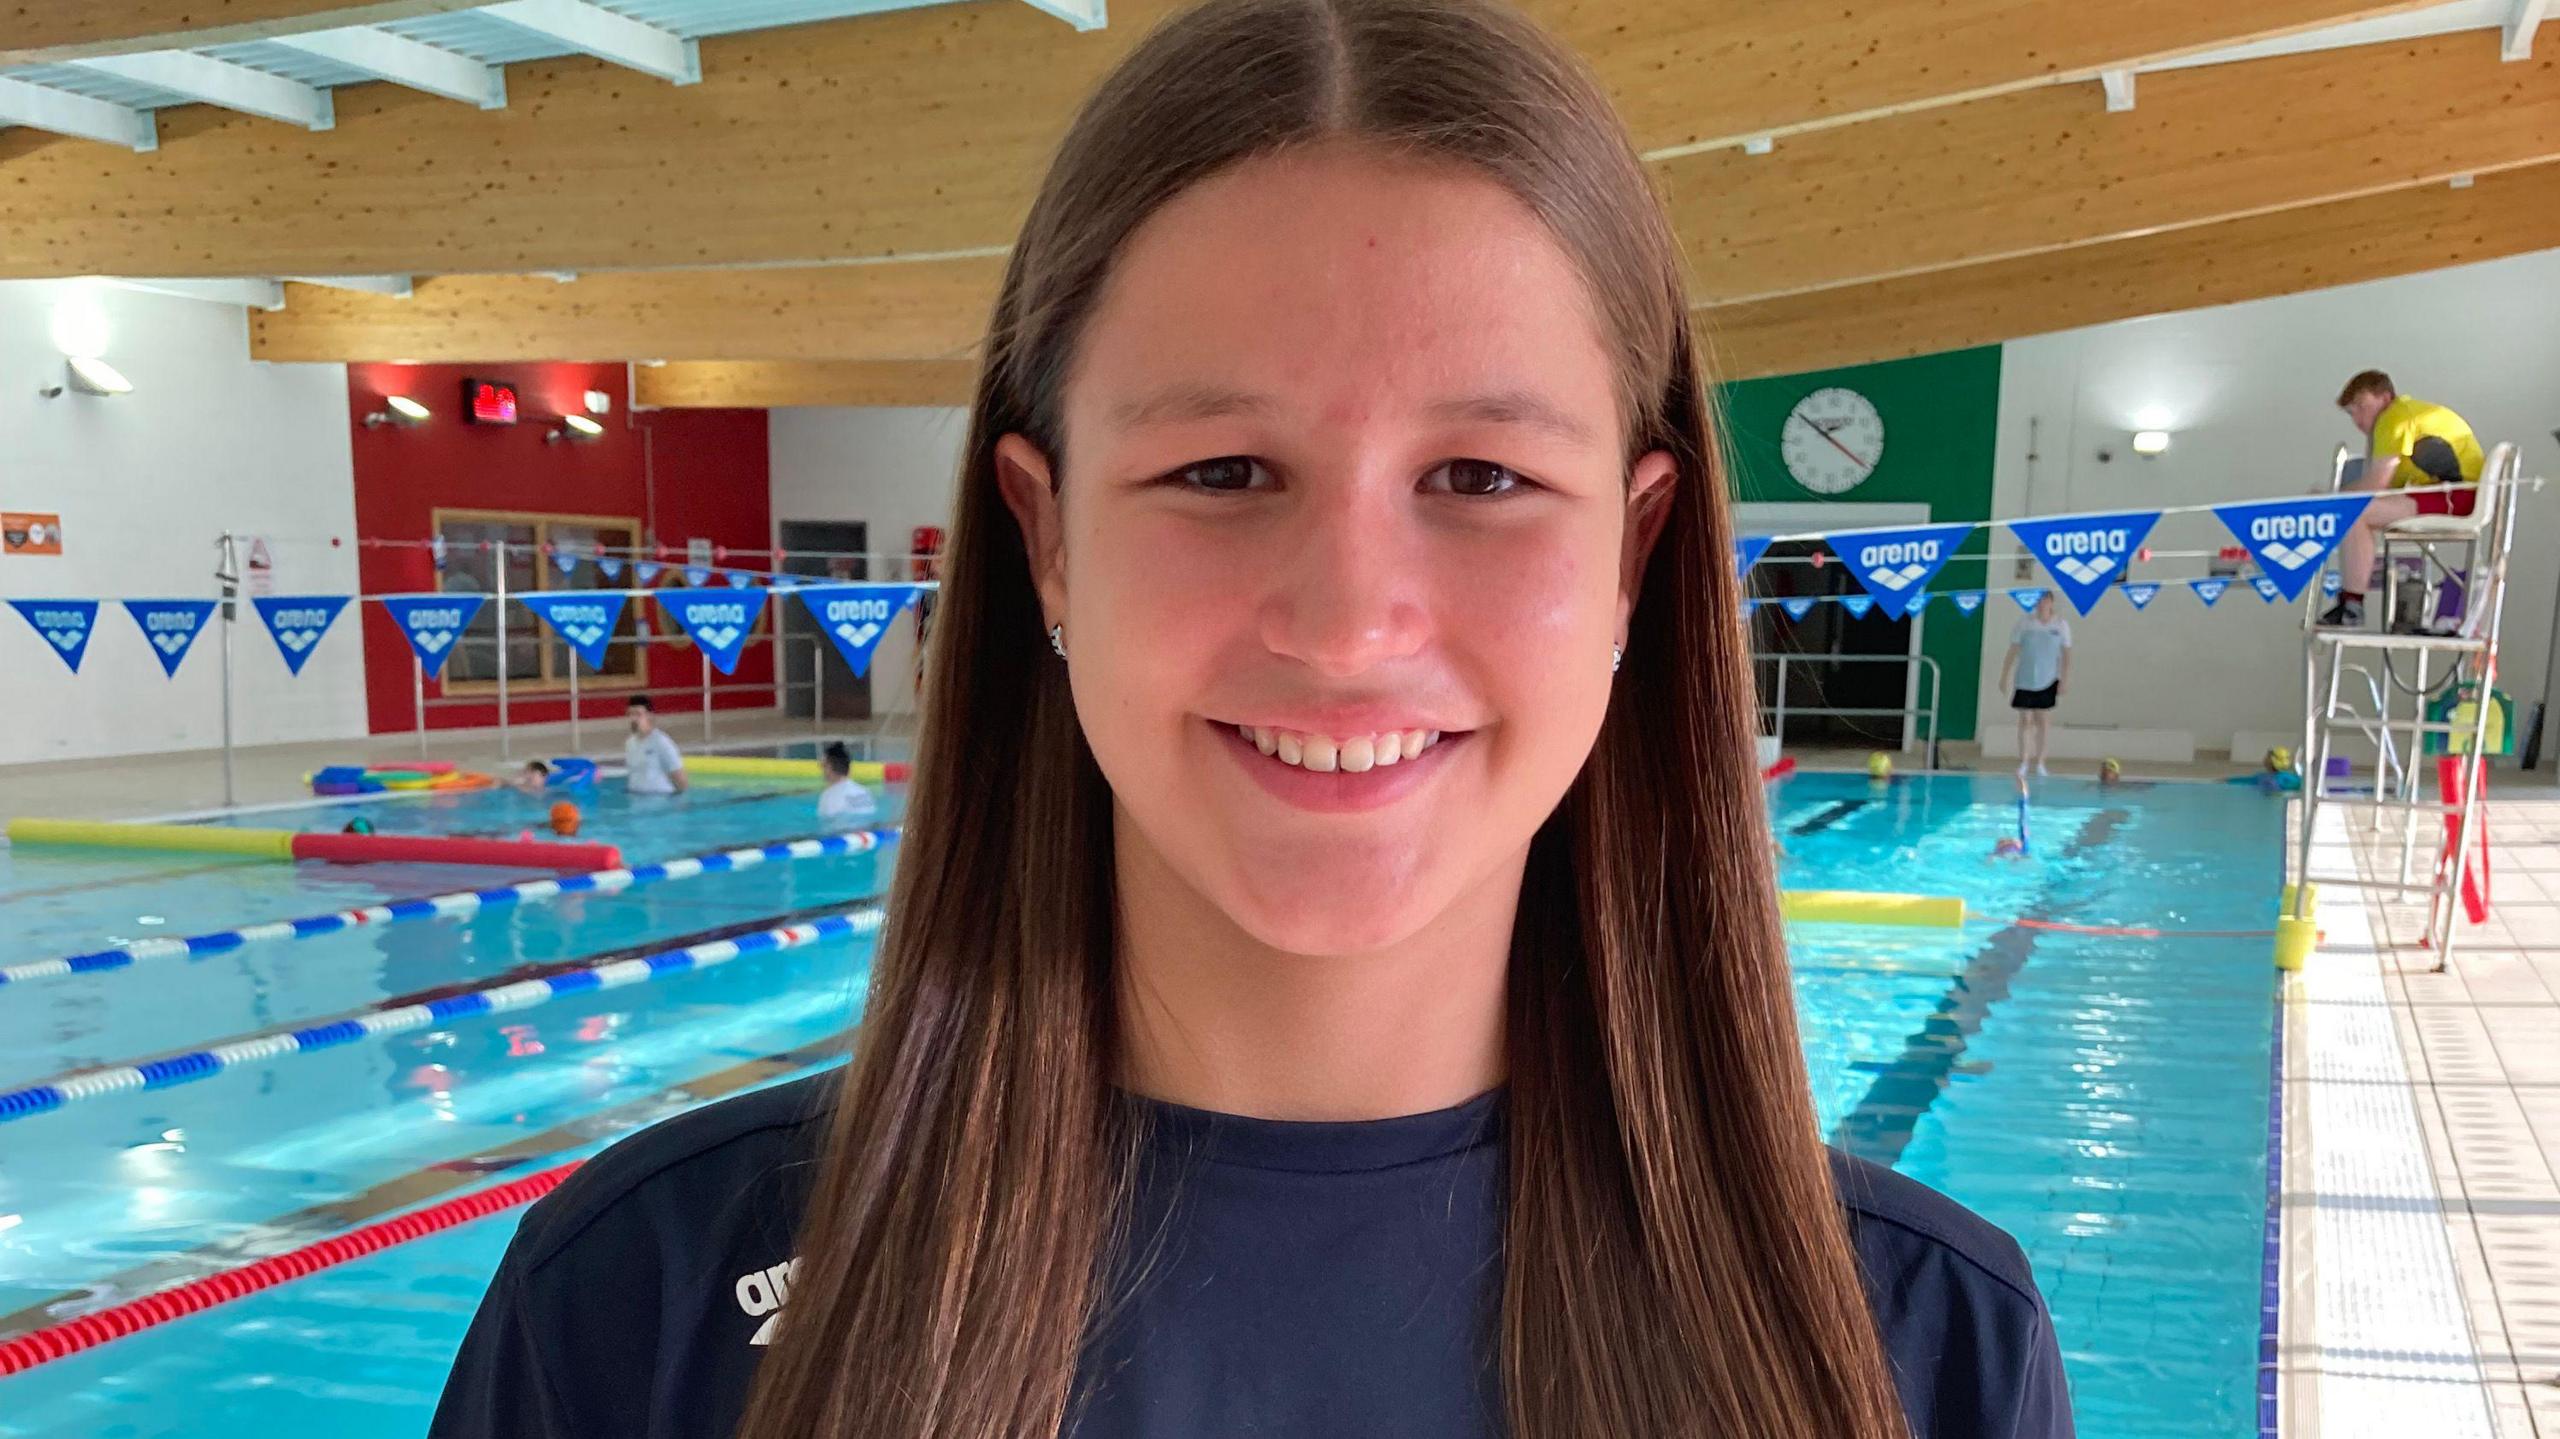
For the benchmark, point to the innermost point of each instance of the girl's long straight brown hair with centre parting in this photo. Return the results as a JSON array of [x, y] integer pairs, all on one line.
[[1676, 1264]]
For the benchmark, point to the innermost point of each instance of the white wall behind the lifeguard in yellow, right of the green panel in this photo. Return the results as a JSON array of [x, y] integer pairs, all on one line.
[[2249, 396]]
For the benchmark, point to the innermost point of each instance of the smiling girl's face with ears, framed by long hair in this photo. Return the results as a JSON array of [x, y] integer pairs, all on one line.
[[1343, 542]]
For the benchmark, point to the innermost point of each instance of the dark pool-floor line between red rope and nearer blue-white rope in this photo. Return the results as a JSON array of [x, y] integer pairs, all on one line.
[[419, 1187]]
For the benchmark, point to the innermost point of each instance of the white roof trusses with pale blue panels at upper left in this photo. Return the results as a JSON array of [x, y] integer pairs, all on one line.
[[449, 52]]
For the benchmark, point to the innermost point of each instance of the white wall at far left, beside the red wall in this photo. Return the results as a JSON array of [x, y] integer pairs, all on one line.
[[145, 483]]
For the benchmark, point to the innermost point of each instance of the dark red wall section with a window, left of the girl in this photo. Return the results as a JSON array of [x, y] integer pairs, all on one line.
[[680, 472]]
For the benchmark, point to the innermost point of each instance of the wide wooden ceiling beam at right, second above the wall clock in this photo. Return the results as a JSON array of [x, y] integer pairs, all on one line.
[[2047, 170]]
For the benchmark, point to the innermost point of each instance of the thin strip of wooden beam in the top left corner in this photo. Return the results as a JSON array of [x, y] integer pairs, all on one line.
[[50, 32]]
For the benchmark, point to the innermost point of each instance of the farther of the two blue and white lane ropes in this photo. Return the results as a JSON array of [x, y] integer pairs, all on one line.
[[447, 905]]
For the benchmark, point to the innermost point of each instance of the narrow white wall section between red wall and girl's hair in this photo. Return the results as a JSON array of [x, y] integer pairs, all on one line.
[[892, 470]]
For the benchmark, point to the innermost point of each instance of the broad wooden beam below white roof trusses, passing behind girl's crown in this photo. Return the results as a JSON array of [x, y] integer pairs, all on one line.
[[923, 132]]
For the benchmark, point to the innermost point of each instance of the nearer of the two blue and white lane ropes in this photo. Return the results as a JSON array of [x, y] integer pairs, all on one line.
[[396, 1018]]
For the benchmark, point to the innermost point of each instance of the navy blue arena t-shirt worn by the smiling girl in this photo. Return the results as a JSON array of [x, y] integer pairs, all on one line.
[[1294, 1282]]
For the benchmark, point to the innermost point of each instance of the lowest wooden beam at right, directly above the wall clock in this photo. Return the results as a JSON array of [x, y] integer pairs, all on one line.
[[2287, 252]]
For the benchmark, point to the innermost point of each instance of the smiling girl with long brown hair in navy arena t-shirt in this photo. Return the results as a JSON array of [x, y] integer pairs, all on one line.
[[1332, 982]]
